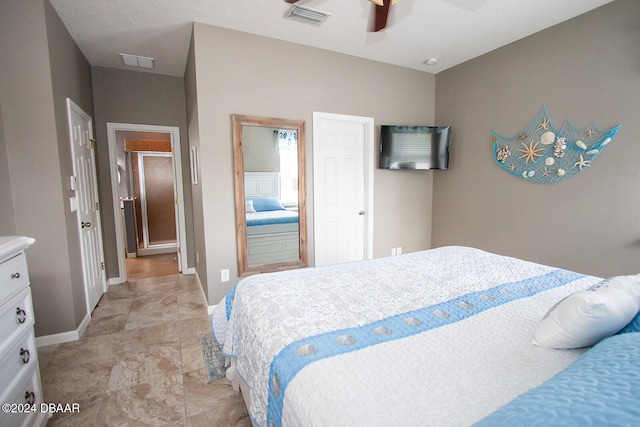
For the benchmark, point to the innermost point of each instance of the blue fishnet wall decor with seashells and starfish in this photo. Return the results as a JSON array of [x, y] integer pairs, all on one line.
[[545, 155]]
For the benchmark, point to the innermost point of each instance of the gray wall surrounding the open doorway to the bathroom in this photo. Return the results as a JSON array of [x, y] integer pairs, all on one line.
[[123, 96]]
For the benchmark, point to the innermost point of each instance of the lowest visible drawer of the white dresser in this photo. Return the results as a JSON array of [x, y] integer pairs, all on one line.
[[27, 391]]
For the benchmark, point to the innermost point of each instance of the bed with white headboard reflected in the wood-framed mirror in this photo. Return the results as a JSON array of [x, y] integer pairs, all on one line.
[[272, 229]]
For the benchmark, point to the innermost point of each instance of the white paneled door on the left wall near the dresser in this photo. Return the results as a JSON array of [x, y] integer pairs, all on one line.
[[85, 201]]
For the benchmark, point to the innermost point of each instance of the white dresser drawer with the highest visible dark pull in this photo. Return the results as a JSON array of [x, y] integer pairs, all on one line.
[[16, 318]]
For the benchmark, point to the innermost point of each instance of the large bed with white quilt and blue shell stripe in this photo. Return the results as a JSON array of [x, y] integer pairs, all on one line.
[[438, 337]]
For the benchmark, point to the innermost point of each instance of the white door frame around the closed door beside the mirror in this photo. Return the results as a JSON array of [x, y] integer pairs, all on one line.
[[369, 168]]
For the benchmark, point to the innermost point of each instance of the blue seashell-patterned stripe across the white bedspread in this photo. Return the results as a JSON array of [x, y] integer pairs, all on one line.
[[299, 354]]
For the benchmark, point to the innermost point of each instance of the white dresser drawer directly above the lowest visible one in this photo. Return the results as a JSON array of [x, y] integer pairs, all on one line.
[[18, 357]]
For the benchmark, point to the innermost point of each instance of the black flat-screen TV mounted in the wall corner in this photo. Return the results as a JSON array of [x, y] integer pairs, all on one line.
[[414, 147]]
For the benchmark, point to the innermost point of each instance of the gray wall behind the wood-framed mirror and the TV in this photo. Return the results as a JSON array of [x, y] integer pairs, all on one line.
[[239, 73]]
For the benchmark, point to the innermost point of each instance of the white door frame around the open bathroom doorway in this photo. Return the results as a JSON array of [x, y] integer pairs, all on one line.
[[174, 132]]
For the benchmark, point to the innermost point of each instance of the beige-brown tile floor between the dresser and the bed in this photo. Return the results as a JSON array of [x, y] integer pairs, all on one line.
[[140, 363]]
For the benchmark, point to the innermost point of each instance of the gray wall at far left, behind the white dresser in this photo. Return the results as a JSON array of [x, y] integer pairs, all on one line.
[[34, 88]]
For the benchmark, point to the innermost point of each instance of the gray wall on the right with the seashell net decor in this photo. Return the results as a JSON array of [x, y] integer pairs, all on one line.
[[585, 70]]
